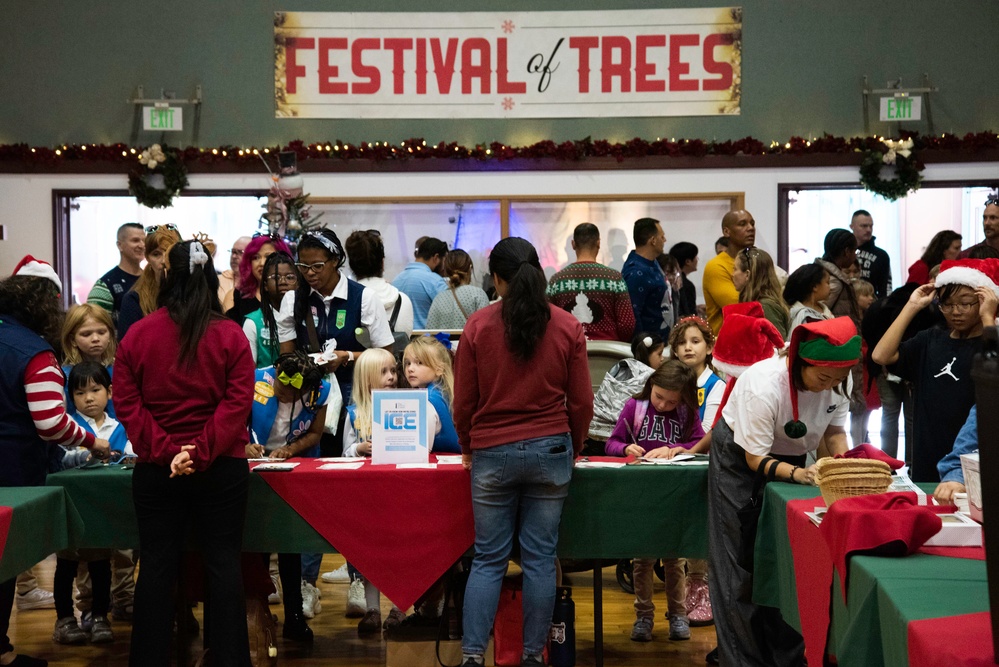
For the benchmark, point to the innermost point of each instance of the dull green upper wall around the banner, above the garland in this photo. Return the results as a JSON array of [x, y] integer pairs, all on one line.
[[66, 69]]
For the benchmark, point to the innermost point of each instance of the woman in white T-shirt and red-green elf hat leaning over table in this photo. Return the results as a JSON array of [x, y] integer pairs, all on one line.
[[780, 409]]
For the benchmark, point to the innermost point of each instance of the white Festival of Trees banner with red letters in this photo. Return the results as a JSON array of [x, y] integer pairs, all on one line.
[[662, 62]]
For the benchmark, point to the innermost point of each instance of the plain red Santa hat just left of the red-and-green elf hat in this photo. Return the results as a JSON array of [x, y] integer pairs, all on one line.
[[744, 339]]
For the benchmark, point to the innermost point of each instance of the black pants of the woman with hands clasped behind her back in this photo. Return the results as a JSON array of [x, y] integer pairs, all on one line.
[[213, 504]]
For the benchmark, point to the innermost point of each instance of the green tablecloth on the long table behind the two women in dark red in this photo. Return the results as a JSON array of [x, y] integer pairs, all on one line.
[[634, 511]]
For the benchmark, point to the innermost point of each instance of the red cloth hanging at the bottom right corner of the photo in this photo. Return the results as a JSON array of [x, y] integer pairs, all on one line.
[[964, 640]]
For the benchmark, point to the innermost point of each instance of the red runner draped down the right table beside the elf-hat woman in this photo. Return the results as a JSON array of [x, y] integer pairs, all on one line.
[[813, 569]]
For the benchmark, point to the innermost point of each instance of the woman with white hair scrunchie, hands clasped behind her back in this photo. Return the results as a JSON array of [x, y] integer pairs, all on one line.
[[183, 390]]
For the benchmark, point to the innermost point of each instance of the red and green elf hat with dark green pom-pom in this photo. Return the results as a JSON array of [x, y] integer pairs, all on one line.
[[831, 343]]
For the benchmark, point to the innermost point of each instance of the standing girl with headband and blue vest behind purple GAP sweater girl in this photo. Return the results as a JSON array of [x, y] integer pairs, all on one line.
[[691, 341]]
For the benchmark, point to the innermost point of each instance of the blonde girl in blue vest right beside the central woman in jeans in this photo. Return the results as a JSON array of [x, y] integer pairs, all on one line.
[[427, 365]]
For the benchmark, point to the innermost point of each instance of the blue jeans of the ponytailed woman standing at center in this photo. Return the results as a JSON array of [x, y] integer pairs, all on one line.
[[524, 481]]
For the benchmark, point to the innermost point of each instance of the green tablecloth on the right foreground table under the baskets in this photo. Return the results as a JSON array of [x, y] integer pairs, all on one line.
[[884, 594]]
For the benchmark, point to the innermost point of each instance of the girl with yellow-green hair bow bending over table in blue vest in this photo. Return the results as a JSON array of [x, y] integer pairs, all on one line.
[[289, 410]]
